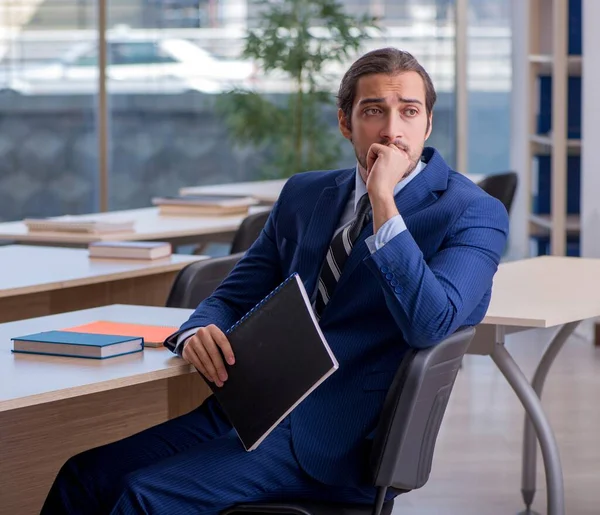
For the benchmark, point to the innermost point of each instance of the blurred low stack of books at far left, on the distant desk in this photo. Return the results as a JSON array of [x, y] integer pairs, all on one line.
[[78, 224]]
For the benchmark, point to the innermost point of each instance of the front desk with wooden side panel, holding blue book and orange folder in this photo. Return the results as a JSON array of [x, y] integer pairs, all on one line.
[[52, 407]]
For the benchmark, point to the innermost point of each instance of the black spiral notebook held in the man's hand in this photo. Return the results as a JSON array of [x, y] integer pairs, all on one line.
[[281, 356]]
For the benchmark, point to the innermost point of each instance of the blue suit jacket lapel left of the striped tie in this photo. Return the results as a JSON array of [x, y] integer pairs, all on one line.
[[322, 225]]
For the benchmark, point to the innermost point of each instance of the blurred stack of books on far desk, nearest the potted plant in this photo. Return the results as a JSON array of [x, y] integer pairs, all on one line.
[[204, 205]]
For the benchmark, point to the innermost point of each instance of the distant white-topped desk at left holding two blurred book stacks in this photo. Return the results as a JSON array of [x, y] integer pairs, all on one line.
[[149, 225]]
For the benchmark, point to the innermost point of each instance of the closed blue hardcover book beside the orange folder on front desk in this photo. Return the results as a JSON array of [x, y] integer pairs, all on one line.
[[77, 345]]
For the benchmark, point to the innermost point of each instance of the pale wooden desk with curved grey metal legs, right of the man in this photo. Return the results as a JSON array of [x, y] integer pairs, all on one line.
[[541, 292]]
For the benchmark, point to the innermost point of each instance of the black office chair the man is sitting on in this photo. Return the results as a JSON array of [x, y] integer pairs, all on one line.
[[408, 427]]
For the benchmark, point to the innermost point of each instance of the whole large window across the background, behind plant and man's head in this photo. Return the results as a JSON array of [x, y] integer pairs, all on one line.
[[163, 130]]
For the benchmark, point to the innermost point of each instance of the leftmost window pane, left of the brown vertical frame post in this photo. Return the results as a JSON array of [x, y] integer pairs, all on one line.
[[48, 138]]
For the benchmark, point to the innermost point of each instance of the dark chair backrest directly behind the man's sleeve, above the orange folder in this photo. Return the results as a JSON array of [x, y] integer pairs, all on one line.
[[198, 280]]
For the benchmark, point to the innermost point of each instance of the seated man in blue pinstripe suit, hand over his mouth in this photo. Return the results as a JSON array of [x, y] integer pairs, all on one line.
[[398, 252]]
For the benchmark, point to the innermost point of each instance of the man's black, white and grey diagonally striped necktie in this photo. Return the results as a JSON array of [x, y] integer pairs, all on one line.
[[339, 250]]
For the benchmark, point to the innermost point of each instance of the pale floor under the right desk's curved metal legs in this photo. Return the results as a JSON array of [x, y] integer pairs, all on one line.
[[477, 465]]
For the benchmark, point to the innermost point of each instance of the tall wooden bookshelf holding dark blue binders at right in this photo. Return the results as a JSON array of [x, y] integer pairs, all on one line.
[[552, 99]]
